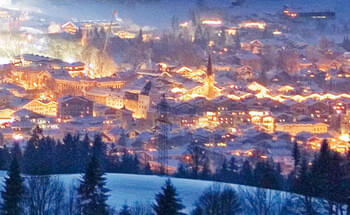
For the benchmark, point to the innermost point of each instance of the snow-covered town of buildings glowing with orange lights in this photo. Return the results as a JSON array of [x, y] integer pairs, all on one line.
[[260, 88]]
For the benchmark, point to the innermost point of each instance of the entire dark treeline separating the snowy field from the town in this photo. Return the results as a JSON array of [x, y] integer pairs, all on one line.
[[325, 176]]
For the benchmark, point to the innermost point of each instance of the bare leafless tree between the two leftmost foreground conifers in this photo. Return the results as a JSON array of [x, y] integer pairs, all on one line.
[[45, 195]]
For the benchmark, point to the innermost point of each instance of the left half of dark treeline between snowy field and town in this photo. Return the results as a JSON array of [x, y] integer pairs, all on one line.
[[45, 155]]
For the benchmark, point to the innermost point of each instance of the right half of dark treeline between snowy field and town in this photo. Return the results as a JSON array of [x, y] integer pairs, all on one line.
[[325, 176]]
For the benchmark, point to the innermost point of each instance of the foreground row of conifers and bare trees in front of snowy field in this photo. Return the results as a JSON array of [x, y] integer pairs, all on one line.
[[46, 195]]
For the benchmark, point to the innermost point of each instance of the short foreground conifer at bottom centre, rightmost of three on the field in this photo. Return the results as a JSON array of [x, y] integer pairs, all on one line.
[[167, 201]]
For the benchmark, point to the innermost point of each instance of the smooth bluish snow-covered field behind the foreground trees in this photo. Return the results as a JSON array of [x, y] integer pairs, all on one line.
[[128, 188]]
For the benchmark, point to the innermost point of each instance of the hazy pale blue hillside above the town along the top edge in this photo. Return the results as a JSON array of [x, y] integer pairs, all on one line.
[[159, 13]]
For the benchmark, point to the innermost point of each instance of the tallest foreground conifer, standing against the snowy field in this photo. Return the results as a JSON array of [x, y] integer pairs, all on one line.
[[92, 194]]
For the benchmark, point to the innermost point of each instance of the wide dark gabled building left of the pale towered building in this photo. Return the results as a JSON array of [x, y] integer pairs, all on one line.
[[74, 106]]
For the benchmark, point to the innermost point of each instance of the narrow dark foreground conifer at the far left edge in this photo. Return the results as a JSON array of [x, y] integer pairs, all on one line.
[[12, 195]]
